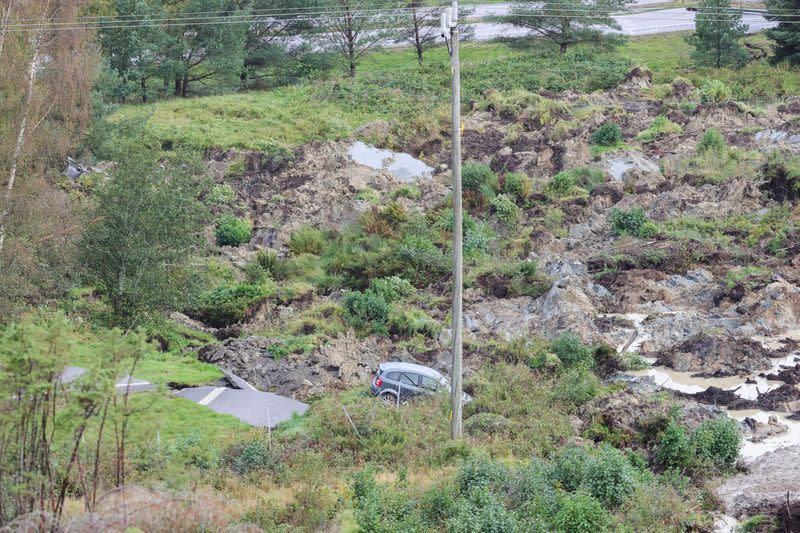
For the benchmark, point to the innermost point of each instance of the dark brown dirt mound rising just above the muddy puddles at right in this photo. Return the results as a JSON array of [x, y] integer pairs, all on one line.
[[716, 355]]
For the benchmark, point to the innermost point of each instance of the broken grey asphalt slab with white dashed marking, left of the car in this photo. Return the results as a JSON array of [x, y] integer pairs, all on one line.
[[260, 409]]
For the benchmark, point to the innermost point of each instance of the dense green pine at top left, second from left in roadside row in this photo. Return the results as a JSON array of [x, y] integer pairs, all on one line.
[[201, 50]]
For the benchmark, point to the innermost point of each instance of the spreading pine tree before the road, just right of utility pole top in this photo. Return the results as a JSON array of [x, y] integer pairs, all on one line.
[[567, 22]]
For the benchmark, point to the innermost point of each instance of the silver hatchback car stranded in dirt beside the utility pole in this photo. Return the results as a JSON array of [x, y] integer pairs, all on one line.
[[402, 381]]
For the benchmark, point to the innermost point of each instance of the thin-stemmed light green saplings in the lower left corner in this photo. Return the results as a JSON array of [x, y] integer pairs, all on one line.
[[39, 466]]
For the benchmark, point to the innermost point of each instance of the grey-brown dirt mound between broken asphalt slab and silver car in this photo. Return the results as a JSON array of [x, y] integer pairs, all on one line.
[[344, 363]]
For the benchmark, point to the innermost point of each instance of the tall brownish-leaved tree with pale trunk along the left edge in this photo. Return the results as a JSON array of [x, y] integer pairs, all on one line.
[[45, 106]]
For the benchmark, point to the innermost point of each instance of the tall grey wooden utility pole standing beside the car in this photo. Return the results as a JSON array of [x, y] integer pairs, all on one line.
[[450, 20]]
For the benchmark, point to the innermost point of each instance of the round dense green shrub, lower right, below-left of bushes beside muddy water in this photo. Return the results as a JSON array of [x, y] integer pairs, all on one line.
[[609, 476]]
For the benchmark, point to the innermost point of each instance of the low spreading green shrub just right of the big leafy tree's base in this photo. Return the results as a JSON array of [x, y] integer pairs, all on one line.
[[226, 304]]
